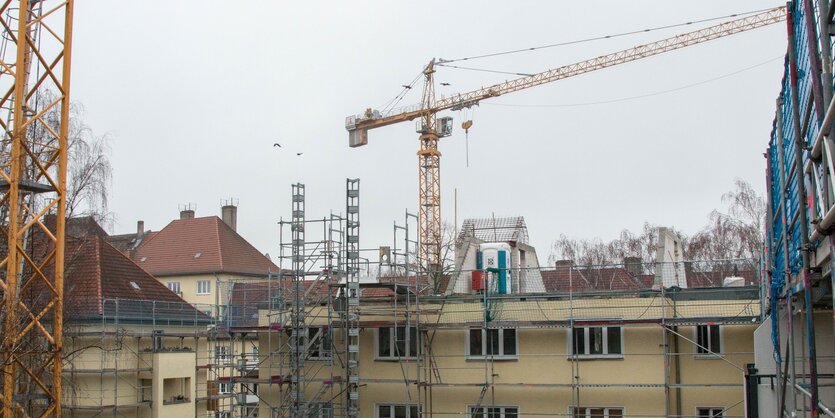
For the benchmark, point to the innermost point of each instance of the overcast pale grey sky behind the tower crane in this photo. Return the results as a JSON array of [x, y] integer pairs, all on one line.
[[195, 93]]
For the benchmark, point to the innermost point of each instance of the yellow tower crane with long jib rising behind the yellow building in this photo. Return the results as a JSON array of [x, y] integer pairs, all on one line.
[[431, 128]]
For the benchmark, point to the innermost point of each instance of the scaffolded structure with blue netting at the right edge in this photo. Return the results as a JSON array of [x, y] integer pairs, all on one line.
[[795, 358]]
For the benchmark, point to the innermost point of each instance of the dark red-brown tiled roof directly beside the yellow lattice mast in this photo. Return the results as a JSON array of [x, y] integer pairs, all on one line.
[[95, 270]]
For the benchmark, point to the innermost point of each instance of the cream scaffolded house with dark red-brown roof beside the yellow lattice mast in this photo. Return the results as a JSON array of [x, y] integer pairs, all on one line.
[[132, 347]]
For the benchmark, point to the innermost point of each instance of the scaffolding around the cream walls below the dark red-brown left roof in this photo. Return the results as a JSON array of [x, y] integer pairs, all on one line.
[[111, 359]]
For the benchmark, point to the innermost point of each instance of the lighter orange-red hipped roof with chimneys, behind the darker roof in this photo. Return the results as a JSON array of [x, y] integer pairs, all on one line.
[[200, 246]]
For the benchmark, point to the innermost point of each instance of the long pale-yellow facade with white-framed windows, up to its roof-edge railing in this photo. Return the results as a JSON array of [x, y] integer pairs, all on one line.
[[603, 351]]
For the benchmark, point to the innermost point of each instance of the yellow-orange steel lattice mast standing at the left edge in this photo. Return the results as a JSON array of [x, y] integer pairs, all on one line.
[[35, 60]]
